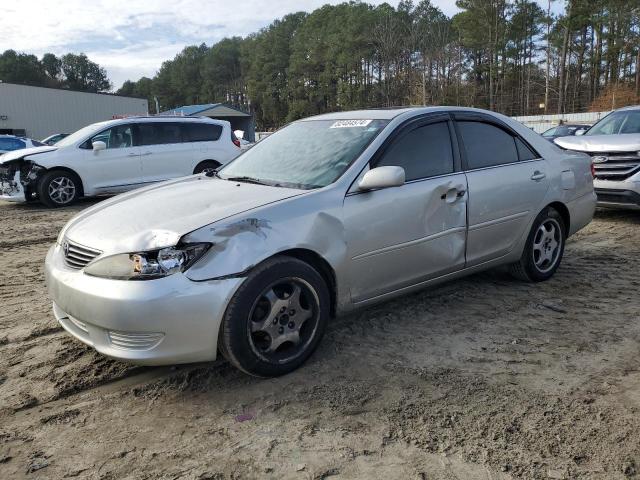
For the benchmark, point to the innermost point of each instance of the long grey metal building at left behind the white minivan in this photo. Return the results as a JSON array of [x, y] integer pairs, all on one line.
[[38, 112]]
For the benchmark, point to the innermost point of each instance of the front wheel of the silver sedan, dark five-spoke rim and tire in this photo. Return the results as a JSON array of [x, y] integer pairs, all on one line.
[[276, 319]]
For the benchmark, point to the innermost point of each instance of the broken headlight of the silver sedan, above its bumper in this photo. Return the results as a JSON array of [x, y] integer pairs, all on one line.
[[148, 265]]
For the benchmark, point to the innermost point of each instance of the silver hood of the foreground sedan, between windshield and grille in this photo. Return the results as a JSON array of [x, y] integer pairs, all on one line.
[[159, 215]]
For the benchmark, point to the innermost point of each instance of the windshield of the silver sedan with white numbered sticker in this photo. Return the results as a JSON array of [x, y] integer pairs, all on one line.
[[308, 154]]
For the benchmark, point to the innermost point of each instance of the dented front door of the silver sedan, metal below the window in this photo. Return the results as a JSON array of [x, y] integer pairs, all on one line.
[[401, 236]]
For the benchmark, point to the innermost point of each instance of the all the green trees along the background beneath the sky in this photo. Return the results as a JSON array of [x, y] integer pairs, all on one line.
[[512, 56]]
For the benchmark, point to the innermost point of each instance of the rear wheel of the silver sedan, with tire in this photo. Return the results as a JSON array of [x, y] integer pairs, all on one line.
[[544, 248]]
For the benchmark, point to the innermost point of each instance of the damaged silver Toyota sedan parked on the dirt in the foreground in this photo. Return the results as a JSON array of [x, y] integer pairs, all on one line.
[[329, 214]]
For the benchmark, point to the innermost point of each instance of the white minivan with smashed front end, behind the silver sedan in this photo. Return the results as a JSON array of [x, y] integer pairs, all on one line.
[[116, 156]]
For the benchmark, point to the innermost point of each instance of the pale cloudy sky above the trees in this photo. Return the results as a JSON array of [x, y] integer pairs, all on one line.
[[131, 38]]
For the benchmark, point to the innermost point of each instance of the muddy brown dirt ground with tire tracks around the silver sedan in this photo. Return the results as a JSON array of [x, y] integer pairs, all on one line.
[[482, 378]]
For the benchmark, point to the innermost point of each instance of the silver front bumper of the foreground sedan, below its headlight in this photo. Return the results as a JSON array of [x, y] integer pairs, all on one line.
[[151, 322]]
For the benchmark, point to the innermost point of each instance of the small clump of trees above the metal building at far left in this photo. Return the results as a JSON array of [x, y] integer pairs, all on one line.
[[71, 71]]
